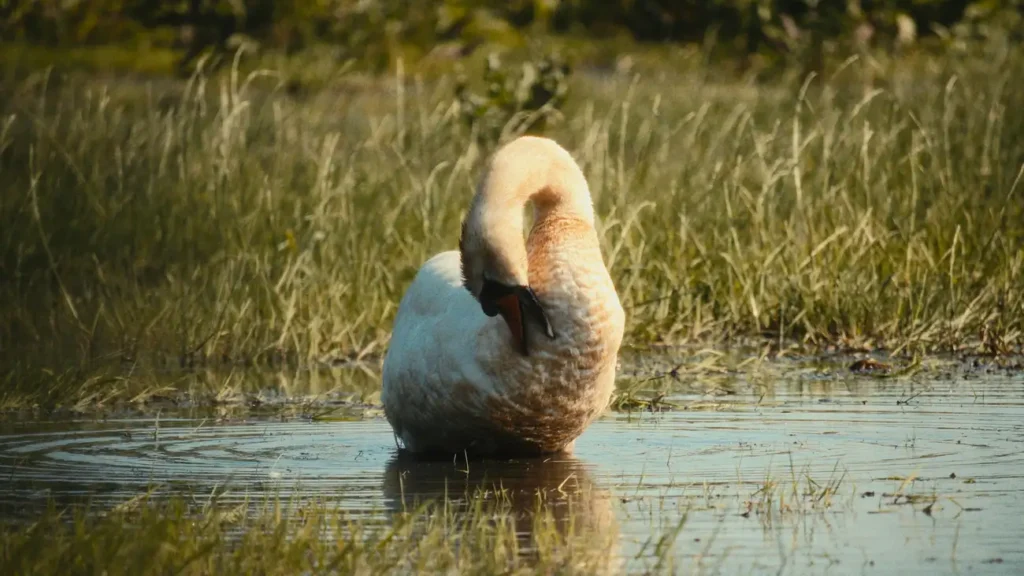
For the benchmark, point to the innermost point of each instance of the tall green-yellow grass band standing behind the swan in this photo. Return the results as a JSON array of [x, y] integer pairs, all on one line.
[[225, 219]]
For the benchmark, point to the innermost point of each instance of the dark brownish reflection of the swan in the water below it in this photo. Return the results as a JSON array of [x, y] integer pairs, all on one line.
[[539, 495]]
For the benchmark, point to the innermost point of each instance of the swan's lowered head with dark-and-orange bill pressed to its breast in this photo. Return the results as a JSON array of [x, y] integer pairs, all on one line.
[[495, 271]]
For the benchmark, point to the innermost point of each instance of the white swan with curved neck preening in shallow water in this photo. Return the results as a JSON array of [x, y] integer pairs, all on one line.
[[506, 348]]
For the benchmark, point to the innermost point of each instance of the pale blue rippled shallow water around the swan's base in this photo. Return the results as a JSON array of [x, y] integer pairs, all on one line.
[[859, 476]]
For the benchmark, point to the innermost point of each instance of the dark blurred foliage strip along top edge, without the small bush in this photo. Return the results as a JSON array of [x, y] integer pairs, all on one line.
[[375, 34]]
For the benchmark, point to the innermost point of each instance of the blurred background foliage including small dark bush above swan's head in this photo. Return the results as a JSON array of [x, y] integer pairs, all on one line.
[[511, 58]]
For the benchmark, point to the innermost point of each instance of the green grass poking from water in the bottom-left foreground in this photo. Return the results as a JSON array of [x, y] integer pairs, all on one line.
[[179, 538]]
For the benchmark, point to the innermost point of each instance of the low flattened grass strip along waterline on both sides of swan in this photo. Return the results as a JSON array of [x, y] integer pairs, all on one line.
[[675, 380]]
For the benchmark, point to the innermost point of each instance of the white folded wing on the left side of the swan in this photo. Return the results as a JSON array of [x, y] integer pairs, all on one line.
[[432, 368]]
